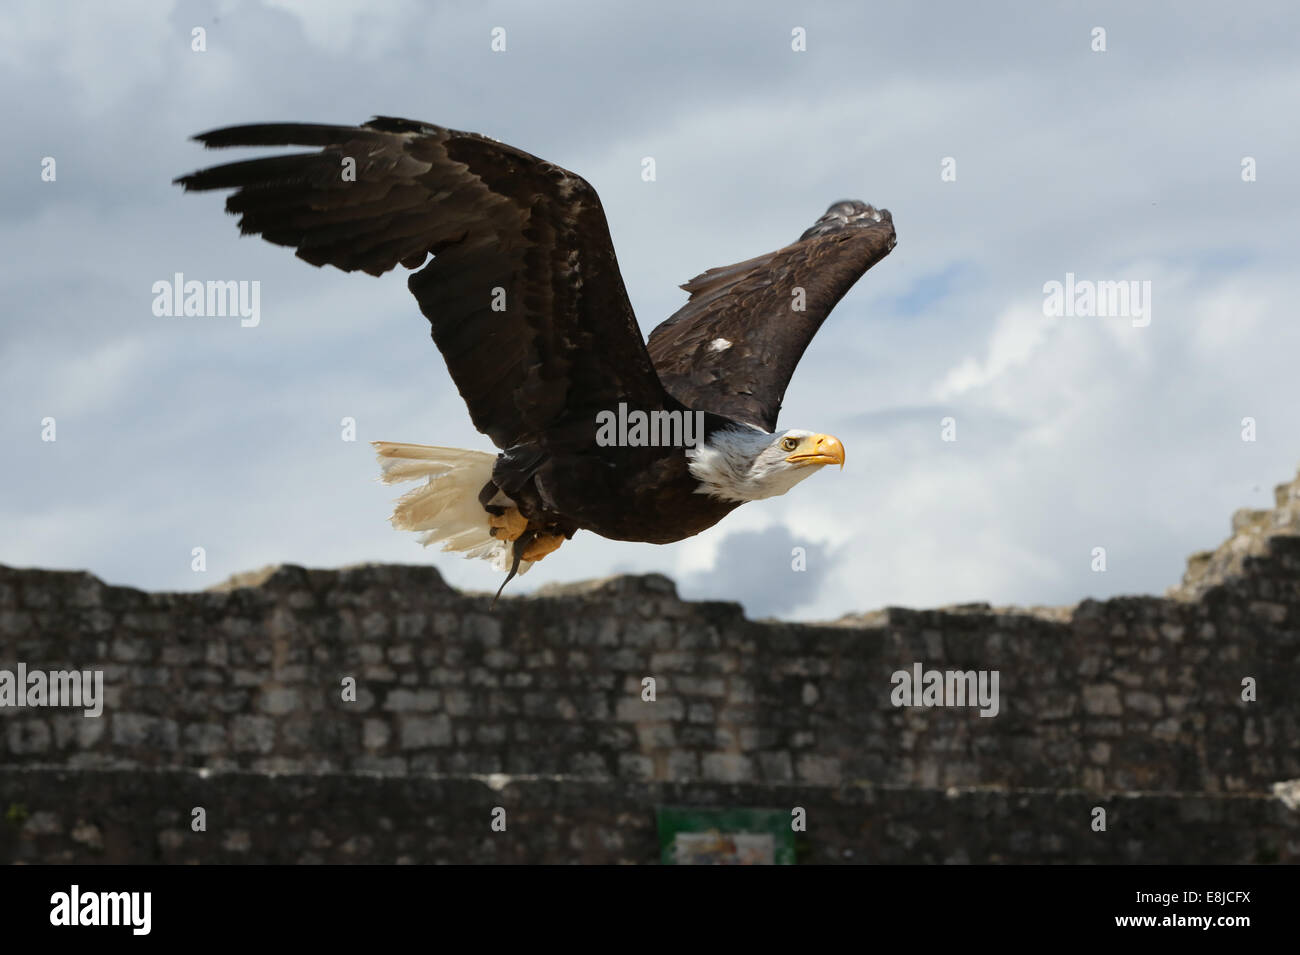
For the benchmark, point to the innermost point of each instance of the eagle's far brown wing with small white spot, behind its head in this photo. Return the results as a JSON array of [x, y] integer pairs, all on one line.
[[734, 346]]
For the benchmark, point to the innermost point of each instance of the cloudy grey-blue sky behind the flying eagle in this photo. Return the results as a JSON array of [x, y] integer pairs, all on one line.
[[1073, 432]]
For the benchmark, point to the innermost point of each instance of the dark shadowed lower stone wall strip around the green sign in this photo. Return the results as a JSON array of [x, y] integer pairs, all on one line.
[[135, 817]]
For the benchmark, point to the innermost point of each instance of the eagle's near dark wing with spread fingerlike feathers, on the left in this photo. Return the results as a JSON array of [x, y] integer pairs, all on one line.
[[525, 293]]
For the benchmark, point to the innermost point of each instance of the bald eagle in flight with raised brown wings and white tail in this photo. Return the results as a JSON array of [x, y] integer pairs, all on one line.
[[532, 319]]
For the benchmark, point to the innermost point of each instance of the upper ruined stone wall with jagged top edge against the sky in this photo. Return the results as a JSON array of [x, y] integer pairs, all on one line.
[[1125, 696]]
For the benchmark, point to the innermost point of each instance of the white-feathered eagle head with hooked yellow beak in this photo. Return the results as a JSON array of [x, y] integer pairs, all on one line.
[[751, 465]]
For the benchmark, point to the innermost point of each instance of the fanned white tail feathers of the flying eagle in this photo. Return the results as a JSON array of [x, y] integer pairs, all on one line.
[[447, 509]]
